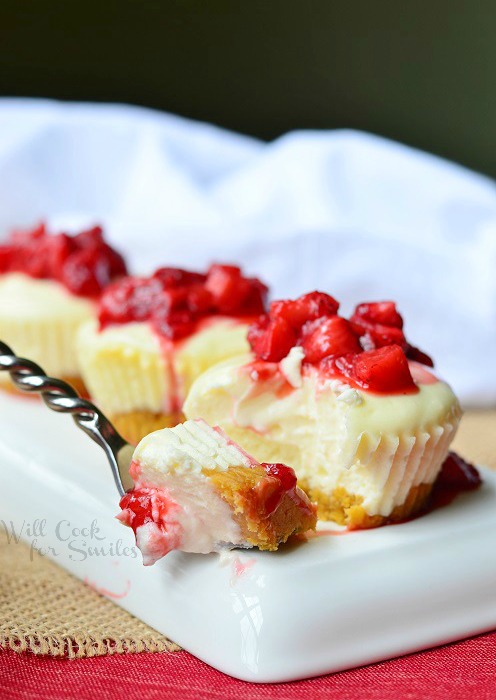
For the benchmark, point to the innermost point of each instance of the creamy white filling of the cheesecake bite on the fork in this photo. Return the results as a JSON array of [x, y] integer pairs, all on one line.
[[188, 513]]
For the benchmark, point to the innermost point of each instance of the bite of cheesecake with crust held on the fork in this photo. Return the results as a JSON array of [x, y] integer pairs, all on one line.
[[197, 491]]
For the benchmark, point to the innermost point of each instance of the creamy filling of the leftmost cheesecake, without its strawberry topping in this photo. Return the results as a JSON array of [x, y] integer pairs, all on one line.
[[39, 318]]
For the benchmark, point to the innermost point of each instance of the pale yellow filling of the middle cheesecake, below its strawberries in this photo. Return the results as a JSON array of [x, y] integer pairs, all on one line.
[[130, 368]]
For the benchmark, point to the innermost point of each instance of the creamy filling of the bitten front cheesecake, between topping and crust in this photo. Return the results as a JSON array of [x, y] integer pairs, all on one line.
[[374, 446]]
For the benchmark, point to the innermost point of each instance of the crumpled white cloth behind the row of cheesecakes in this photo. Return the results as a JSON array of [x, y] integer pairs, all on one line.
[[345, 212]]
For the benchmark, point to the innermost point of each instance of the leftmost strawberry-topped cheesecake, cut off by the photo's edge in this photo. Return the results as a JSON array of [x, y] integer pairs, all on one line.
[[49, 285]]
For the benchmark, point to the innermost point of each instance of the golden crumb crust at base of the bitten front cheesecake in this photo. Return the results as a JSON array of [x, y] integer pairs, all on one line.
[[346, 509]]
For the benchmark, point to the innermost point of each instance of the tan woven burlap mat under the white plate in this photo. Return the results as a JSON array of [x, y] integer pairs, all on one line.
[[45, 610]]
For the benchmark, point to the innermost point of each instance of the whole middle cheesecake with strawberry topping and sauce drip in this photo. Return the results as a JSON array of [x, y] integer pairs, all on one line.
[[154, 335]]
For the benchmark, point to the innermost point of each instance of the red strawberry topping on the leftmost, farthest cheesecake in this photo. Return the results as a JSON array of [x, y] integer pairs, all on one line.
[[83, 263]]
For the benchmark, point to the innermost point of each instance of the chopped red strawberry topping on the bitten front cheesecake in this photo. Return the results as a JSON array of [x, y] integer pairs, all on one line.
[[368, 351]]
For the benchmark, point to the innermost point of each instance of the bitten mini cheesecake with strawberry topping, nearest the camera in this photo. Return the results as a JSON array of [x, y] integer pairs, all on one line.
[[349, 403]]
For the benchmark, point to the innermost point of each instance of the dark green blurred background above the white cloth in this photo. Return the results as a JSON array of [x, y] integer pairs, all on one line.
[[420, 72]]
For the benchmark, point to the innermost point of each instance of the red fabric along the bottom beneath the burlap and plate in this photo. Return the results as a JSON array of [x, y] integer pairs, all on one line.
[[456, 672]]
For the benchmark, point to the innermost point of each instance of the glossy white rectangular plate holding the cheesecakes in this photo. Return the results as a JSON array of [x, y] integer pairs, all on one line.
[[332, 603]]
